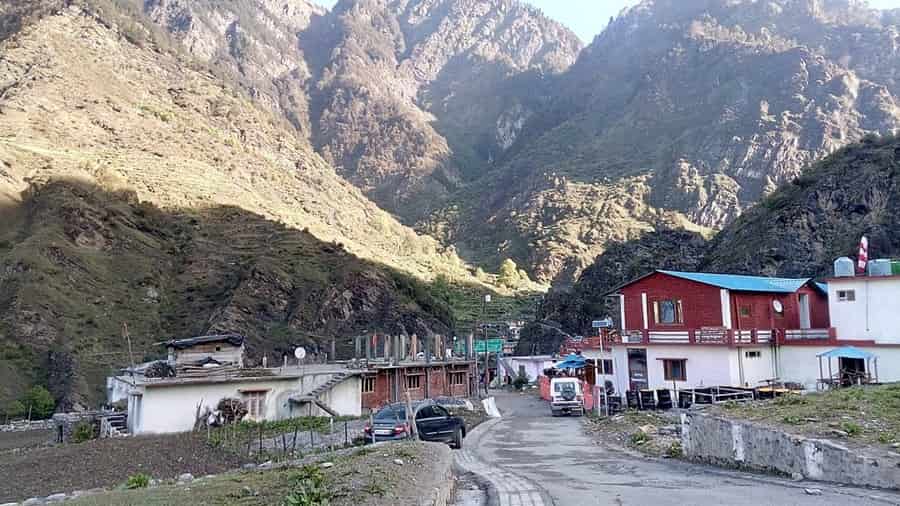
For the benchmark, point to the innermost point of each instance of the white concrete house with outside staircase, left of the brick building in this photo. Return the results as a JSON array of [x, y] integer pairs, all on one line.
[[208, 369]]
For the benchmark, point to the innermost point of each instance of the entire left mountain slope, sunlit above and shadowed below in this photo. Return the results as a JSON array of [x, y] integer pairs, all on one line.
[[193, 210]]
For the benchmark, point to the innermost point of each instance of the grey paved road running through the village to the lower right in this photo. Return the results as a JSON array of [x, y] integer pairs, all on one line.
[[539, 460]]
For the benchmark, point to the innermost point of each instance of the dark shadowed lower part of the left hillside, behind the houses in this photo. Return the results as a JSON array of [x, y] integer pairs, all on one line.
[[78, 262]]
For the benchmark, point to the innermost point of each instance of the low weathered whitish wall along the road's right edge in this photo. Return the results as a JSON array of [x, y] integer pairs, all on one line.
[[744, 445]]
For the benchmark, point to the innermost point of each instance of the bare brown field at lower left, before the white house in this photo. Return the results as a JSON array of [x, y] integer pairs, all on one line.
[[41, 471]]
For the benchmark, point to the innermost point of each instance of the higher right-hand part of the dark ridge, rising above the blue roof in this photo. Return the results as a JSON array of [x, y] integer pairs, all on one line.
[[820, 216]]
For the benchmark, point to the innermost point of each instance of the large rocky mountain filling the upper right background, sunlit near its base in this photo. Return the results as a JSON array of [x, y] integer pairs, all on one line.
[[681, 114]]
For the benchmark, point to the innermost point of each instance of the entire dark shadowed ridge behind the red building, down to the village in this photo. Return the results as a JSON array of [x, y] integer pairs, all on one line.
[[797, 231]]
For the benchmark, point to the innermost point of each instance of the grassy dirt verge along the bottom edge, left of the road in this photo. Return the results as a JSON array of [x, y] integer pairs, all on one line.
[[368, 476]]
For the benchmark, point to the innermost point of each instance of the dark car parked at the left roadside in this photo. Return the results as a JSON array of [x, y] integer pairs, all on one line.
[[433, 423]]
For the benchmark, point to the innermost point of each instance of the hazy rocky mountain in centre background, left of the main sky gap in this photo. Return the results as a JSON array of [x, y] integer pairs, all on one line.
[[406, 98]]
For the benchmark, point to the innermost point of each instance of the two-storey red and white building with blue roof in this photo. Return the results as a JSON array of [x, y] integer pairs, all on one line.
[[686, 330]]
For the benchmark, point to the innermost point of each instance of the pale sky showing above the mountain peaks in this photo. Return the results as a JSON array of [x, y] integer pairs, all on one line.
[[588, 17]]
